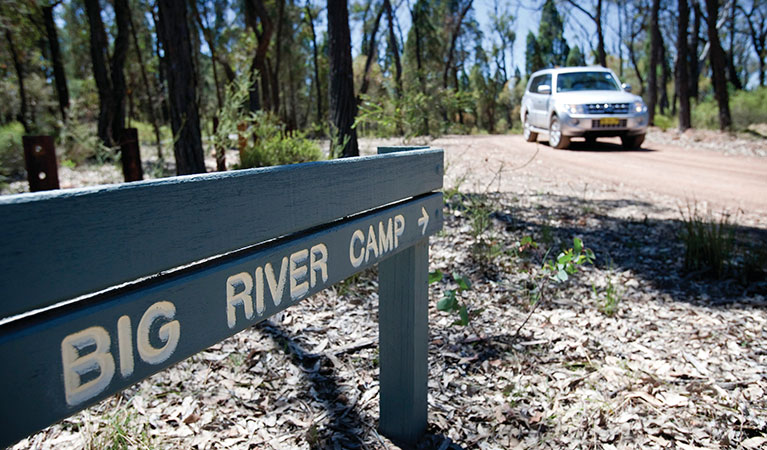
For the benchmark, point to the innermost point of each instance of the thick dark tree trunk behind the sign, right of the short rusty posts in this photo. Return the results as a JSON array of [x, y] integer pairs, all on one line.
[[185, 122]]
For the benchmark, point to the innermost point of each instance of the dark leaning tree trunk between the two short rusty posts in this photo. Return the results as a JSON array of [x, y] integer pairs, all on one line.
[[100, 61]]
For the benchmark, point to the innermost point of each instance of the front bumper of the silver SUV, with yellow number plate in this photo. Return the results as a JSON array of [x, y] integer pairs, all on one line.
[[596, 125]]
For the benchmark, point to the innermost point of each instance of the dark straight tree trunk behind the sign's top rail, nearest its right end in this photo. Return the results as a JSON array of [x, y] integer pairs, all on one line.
[[343, 107]]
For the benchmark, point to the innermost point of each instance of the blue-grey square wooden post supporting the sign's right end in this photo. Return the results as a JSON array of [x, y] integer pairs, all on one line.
[[403, 328]]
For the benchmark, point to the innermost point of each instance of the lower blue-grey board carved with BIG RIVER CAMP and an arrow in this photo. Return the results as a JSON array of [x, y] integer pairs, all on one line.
[[62, 360]]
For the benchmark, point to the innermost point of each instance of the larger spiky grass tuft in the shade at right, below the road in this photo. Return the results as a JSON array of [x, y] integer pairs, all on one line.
[[708, 242]]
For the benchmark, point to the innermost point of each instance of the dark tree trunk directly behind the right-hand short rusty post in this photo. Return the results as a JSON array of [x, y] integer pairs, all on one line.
[[120, 53]]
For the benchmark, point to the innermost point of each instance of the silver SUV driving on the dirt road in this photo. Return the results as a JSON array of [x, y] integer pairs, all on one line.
[[586, 102]]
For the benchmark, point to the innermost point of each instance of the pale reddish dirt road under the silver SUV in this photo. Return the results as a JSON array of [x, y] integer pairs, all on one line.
[[686, 175]]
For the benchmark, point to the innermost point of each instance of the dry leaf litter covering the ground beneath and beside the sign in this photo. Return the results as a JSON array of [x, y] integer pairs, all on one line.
[[681, 363]]
